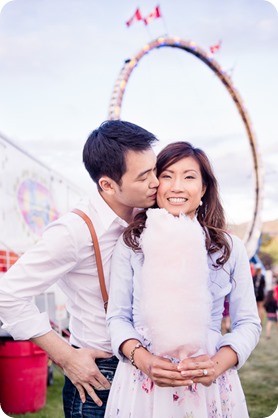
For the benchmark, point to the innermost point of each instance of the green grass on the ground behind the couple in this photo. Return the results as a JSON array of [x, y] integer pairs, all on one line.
[[259, 379]]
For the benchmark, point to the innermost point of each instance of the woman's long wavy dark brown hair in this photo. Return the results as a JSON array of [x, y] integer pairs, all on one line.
[[210, 214]]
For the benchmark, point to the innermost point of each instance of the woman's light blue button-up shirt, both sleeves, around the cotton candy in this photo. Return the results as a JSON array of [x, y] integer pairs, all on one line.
[[234, 280]]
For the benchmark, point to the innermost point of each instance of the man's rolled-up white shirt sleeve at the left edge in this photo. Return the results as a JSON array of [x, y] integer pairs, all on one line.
[[35, 271]]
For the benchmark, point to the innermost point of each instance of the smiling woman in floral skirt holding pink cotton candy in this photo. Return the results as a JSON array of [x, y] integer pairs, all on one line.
[[197, 380]]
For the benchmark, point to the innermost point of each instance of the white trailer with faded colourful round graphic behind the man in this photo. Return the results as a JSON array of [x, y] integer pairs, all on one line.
[[31, 196]]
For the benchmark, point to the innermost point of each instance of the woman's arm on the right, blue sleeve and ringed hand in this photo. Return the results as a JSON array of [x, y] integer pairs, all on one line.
[[234, 347]]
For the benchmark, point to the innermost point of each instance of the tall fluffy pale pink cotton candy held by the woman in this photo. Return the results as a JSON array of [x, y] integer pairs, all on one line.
[[175, 302]]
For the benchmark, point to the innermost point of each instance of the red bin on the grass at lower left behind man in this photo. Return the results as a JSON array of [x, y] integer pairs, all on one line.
[[23, 376]]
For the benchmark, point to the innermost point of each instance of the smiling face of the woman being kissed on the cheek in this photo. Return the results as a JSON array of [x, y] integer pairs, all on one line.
[[181, 188]]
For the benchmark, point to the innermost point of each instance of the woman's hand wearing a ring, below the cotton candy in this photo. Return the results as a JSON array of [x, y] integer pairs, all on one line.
[[201, 369]]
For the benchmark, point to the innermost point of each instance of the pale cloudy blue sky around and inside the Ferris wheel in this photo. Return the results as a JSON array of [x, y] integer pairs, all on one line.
[[59, 60]]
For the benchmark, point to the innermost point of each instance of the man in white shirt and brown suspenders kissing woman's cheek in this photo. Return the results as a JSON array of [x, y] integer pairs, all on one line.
[[119, 158]]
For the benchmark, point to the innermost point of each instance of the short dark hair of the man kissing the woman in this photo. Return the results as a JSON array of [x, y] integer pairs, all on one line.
[[105, 149]]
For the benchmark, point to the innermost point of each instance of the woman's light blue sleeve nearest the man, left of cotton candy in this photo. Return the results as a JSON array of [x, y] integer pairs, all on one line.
[[119, 313]]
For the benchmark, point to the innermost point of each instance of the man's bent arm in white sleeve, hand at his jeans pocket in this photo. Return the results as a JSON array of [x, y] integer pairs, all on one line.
[[43, 265]]
